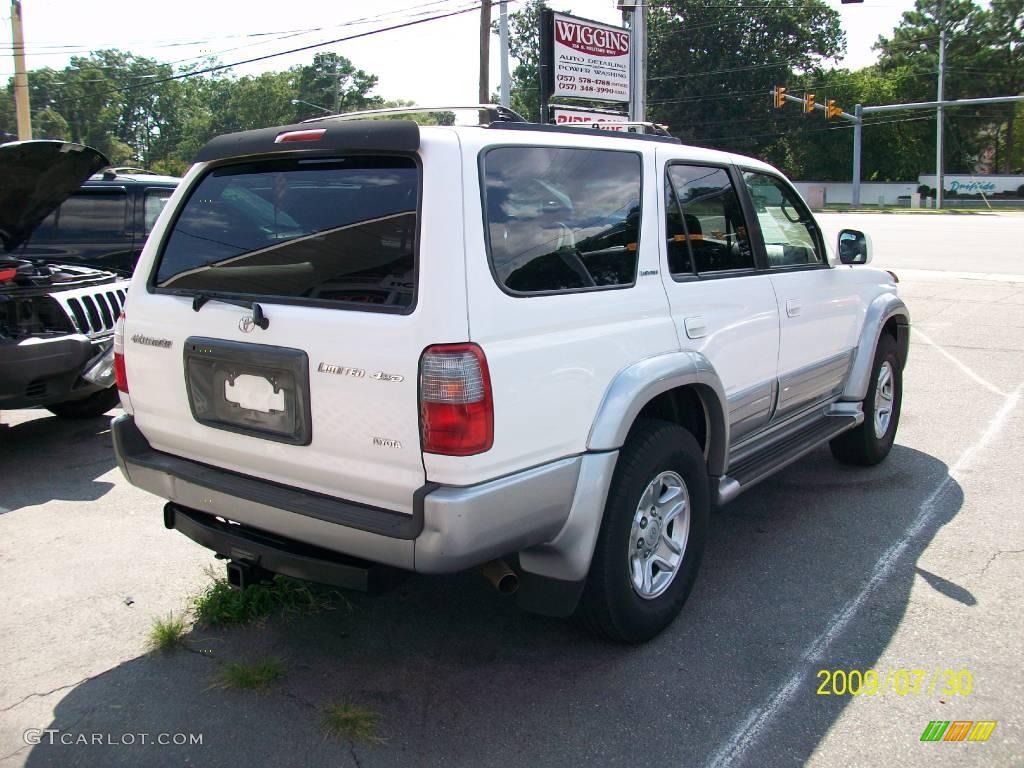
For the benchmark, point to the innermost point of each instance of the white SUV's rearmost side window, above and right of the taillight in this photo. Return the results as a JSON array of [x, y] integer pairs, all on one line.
[[562, 220]]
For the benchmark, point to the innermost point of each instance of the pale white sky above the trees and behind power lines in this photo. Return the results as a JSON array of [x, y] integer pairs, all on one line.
[[434, 63]]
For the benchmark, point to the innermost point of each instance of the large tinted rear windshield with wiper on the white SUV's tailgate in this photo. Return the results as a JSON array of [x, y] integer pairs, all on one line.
[[339, 230]]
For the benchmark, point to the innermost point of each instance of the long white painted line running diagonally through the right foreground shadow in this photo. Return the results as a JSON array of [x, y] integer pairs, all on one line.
[[741, 741]]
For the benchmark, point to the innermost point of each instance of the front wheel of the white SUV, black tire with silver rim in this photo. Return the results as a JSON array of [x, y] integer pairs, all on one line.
[[871, 443]]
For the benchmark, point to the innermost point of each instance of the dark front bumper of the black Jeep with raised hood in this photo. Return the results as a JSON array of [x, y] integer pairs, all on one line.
[[41, 372]]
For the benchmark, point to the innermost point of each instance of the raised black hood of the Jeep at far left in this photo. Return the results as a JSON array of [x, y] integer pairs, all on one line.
[[35, 179]]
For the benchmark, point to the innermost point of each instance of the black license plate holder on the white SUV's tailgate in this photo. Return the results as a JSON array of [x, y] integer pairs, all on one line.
[[254, 390]]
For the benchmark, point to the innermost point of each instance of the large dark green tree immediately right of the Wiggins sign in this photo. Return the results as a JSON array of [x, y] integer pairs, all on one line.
[[712, 66]]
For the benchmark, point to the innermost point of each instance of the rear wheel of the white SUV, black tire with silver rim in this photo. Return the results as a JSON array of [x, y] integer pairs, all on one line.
[[653, 536]]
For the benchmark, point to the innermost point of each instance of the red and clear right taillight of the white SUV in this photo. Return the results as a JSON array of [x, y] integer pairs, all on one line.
[[457, 414]]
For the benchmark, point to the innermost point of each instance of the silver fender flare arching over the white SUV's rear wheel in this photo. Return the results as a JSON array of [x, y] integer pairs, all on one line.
[[636, 386]]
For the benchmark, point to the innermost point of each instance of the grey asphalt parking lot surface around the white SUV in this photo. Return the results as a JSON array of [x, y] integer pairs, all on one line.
[[915, 565]]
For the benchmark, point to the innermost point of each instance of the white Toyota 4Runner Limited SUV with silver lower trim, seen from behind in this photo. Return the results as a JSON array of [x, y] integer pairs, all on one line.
[[435, 348]]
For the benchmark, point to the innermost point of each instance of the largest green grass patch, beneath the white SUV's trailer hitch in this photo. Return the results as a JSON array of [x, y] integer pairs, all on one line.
[[220, 606]]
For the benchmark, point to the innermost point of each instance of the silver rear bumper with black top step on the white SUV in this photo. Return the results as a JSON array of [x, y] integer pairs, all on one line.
[[451, 529]]
